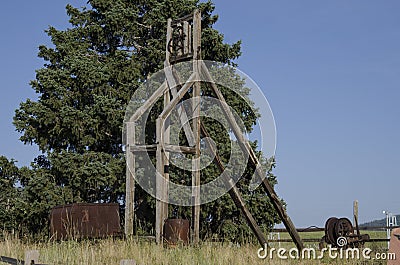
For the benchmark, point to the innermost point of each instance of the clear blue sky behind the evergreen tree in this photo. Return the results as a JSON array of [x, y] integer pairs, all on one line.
[[331, 73]]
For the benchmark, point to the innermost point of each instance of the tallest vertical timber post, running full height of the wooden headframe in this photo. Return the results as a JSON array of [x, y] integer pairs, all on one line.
[[196, 127]]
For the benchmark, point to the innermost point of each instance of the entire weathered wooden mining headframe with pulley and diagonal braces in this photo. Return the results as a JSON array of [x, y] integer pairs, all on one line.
[[184, 43]]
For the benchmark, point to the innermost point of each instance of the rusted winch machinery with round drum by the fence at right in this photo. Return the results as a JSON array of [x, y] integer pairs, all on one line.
[[339, 232]]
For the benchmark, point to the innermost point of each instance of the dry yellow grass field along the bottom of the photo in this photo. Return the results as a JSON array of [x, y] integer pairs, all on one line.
[[109, 251]]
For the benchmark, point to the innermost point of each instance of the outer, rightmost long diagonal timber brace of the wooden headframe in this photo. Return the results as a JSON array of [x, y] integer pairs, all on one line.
[[245, 146]]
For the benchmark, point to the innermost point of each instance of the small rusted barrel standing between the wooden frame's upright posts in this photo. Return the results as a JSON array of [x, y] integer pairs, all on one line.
[[176, 231]]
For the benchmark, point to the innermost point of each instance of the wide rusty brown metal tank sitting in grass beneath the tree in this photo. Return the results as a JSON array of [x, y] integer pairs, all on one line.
[[85, 220]]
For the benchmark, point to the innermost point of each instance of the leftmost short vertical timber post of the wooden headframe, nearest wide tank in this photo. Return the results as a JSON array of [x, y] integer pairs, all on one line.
[[130, 180]]
